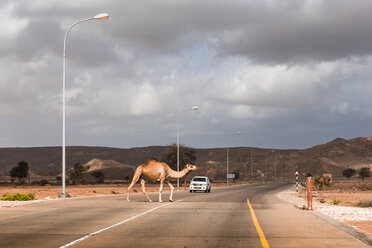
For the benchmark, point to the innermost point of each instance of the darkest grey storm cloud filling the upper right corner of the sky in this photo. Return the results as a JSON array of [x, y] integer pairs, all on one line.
[[304, 31]]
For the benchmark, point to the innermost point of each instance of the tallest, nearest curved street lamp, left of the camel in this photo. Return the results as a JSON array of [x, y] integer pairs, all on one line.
[[100, 17]]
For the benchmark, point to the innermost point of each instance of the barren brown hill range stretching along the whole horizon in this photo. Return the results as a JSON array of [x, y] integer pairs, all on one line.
[[331, 157]]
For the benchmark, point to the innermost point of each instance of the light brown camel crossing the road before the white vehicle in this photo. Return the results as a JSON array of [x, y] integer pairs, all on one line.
[[154, 170]]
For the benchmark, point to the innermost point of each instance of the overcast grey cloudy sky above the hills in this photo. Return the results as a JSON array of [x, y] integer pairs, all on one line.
[[287, 74]]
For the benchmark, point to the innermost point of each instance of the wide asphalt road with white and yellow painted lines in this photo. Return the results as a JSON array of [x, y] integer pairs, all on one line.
[[221, 218]]
